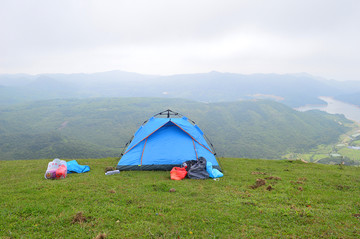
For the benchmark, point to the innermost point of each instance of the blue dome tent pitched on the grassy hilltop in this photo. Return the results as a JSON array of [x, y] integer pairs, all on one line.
[[164, 143]]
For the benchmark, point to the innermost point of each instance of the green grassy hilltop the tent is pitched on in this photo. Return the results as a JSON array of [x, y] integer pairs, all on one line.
[[309, 201]]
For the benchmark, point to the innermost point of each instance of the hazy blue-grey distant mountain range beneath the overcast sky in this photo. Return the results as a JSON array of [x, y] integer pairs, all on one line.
[[291, 89]]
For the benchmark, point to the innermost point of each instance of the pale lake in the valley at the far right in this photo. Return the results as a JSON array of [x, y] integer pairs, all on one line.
[[333, 106]]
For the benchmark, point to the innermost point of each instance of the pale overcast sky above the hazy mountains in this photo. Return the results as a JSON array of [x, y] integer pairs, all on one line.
[[320, 37]]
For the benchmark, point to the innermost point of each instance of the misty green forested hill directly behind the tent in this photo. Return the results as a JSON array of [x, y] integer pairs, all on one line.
[[95, 128]]
